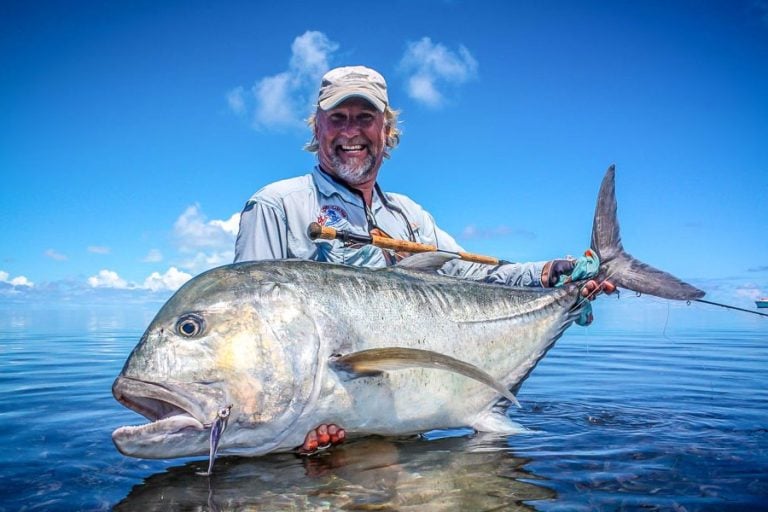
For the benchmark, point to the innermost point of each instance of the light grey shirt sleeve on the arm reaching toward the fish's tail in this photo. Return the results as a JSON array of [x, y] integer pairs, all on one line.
[[512, 274]]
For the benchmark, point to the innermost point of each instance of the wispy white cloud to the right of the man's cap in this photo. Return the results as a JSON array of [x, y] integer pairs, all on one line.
[[431, 67]]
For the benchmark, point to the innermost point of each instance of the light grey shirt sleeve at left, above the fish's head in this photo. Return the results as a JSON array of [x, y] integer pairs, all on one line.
[[263, 233]]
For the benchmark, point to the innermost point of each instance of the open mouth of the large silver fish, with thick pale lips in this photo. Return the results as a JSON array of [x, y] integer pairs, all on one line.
[[178, 417]]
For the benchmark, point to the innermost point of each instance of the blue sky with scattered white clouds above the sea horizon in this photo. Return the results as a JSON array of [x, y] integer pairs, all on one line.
[[132, 133]]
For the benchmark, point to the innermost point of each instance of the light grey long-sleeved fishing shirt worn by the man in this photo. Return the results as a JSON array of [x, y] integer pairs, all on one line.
[[273, 225]]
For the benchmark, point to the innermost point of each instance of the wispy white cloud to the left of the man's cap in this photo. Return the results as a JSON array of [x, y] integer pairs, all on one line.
[[284, 99]]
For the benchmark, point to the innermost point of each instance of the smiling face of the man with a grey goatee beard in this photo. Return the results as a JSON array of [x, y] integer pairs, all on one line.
[[352, 139]]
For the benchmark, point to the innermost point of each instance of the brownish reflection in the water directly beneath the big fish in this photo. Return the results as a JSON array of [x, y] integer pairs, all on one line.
[[368, 474]]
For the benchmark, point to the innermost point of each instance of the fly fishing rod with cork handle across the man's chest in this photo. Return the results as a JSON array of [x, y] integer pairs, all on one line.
[[316, 231]]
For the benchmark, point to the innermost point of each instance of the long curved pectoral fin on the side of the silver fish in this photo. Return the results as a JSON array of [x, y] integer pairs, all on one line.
[[372, 361]]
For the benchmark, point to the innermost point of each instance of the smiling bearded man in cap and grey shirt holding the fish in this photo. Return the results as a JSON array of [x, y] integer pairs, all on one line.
[[354, 128]]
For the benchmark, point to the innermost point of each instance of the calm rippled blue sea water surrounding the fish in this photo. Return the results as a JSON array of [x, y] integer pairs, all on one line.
[[655, 407]]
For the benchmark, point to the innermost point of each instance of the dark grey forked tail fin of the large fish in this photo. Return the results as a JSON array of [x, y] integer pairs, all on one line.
[[617, 265]]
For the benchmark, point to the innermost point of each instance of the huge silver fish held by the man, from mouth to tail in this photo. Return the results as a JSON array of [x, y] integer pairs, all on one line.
[[293, 344]]
